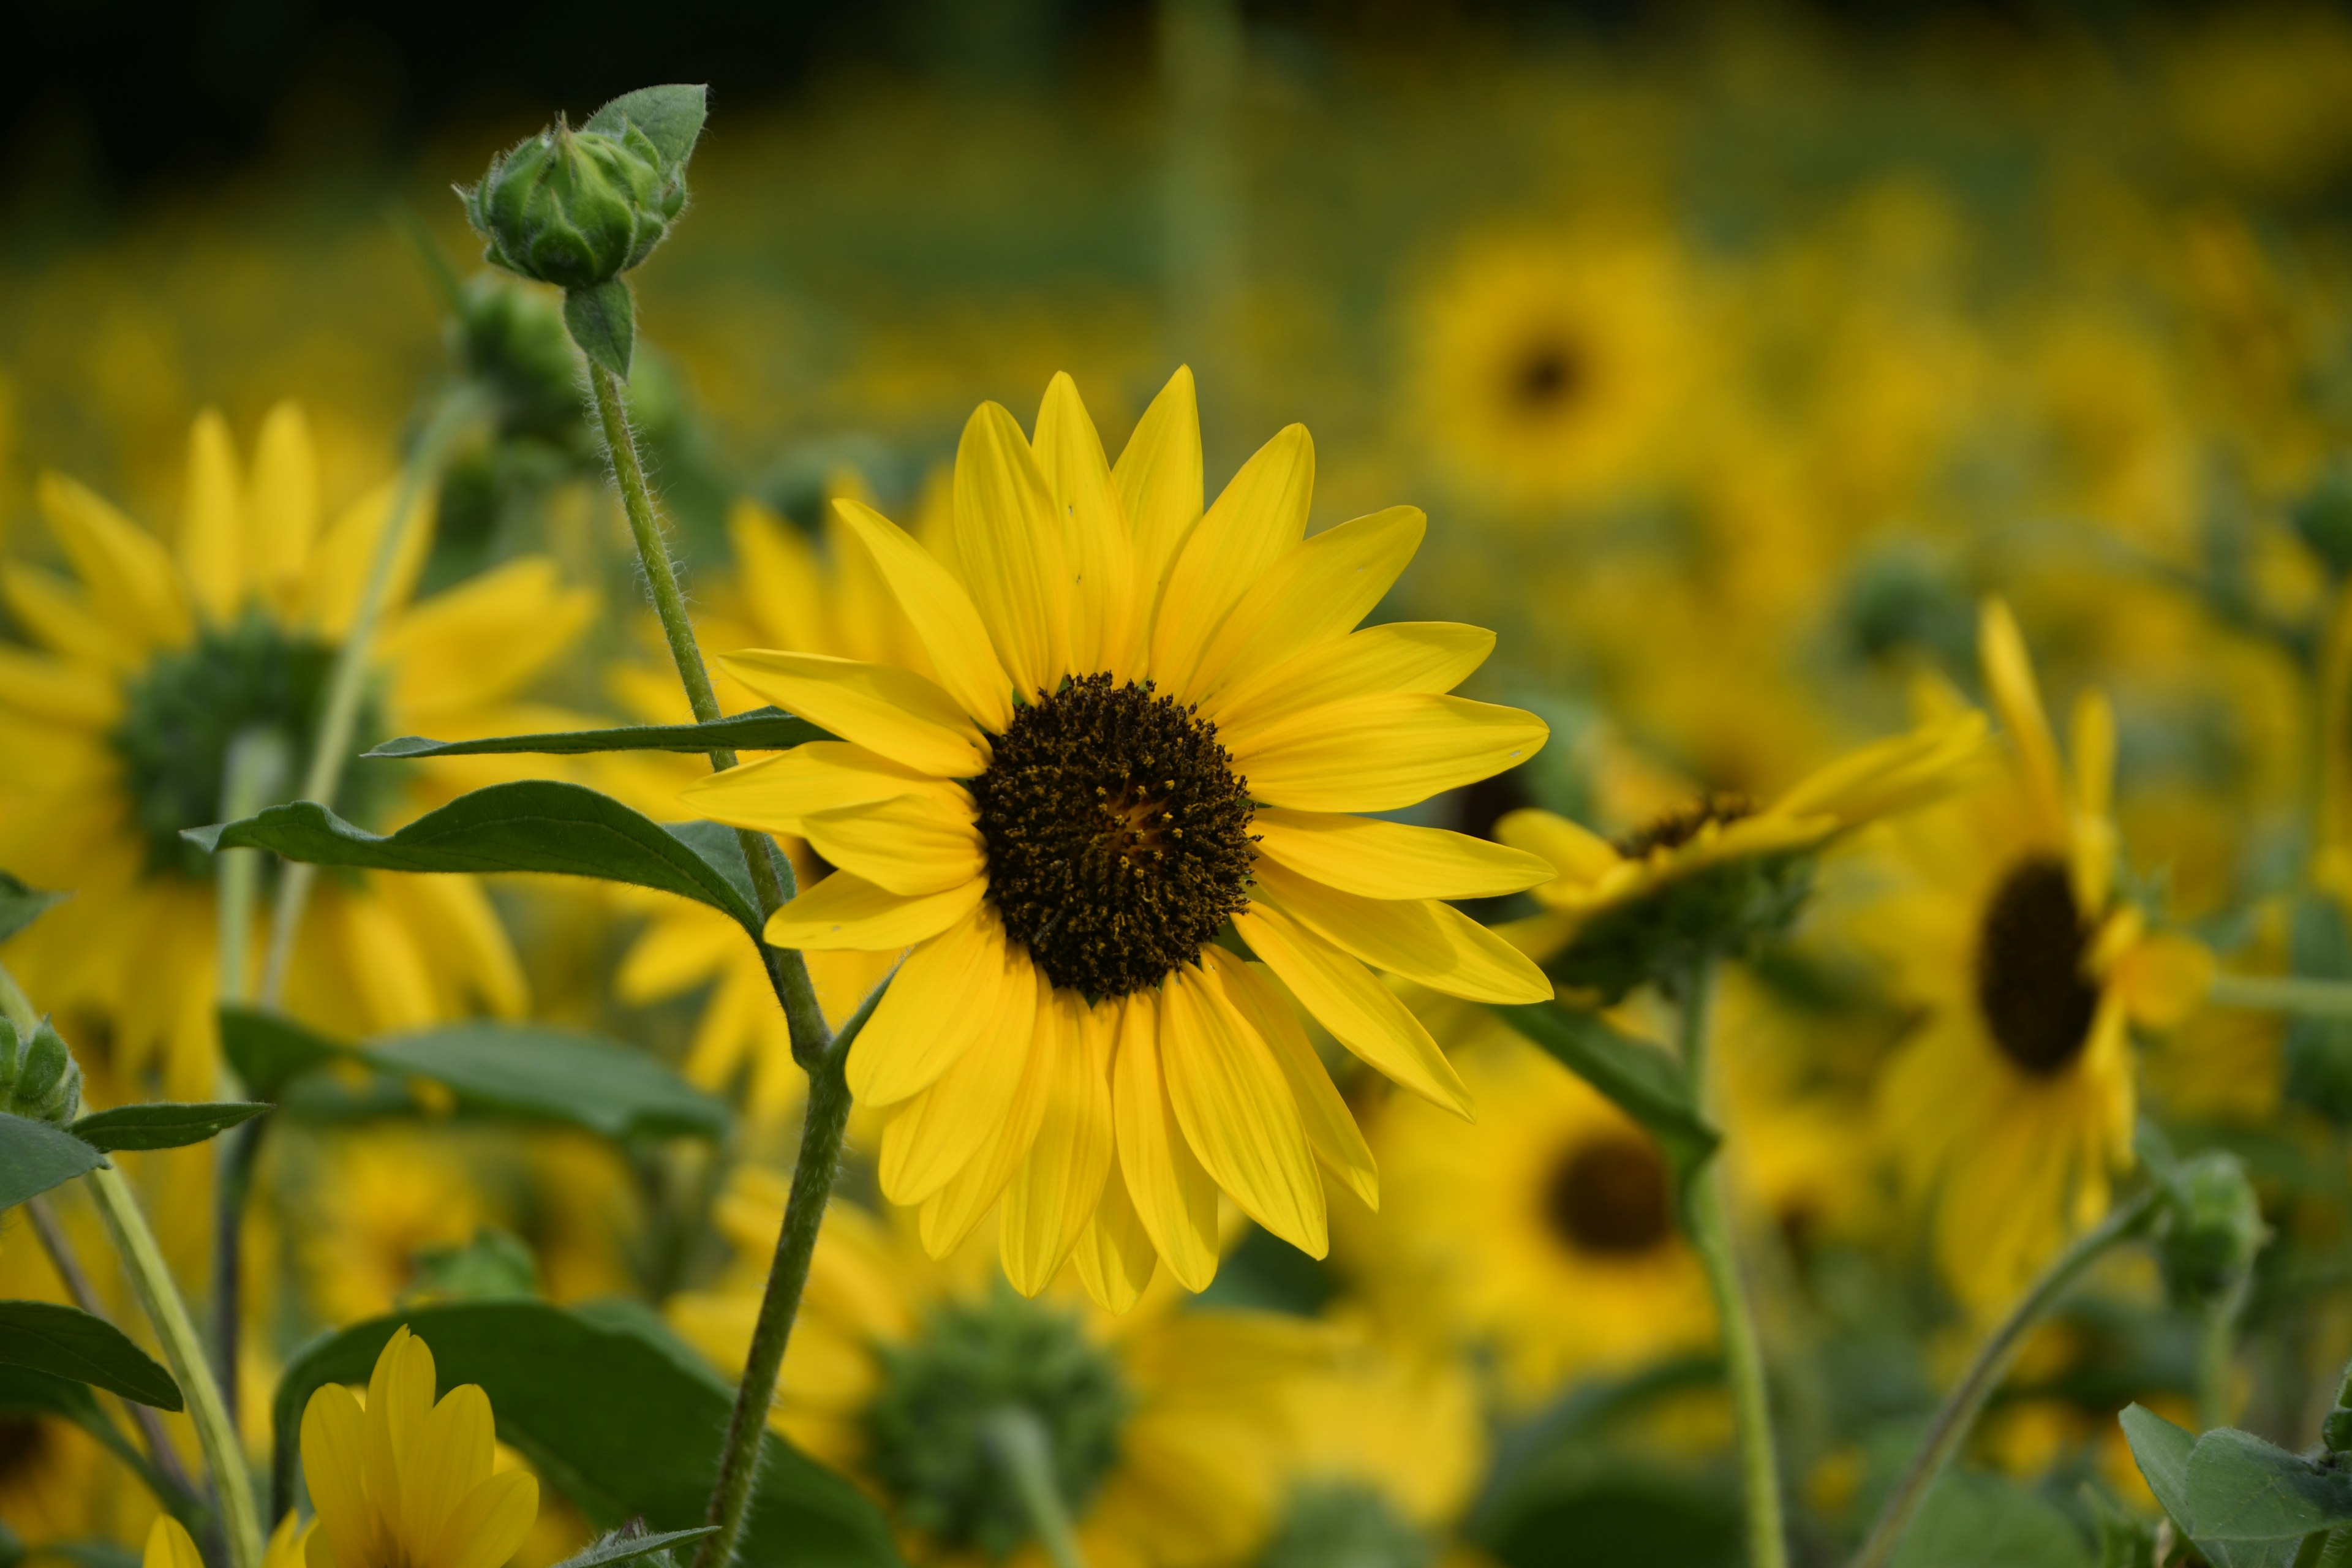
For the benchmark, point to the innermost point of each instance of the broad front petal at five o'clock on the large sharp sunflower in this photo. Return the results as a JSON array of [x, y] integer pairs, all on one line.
[[1238, 1111]]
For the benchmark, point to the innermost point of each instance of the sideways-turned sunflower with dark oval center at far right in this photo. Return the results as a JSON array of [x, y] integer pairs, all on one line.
[[2012, 1108]]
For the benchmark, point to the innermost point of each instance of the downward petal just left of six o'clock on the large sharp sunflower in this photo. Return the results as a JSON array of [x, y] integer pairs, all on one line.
[[1057, 1188]]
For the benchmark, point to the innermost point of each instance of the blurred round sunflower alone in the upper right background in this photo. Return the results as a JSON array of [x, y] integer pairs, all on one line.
[[1556, 370]]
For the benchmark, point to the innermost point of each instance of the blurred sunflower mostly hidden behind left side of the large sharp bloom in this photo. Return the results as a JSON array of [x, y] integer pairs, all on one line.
[[782, 594]]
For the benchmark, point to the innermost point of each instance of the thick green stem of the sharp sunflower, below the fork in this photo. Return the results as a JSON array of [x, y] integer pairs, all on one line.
[[787, 1278]]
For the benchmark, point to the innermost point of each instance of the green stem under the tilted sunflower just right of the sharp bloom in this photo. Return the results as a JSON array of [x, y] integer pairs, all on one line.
[[1709, 1224]]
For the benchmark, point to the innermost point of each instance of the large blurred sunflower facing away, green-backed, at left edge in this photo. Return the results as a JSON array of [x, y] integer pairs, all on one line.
[[152, 662]]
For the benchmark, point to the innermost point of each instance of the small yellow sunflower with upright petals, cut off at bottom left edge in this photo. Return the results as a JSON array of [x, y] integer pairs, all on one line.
[[408, 1480]]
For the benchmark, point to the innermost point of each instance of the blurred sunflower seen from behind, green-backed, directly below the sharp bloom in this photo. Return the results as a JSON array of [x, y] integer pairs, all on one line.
[[1165, 1428]]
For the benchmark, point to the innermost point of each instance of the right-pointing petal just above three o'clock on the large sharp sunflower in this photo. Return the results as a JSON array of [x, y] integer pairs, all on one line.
[[1382, 753]]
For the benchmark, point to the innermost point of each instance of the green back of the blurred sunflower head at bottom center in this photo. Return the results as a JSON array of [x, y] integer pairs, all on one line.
[[973, 1360]]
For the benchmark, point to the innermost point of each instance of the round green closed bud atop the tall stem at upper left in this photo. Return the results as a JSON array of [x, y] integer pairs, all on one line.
[[577, 208]]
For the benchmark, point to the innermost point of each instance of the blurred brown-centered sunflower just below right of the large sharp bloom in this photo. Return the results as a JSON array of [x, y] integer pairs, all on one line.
[[1544, 1240]]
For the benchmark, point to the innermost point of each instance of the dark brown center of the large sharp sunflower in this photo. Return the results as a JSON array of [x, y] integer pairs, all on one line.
[[1118, 836]]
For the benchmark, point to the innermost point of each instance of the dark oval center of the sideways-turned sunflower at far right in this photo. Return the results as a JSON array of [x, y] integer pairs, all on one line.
[[2031, 984]]
